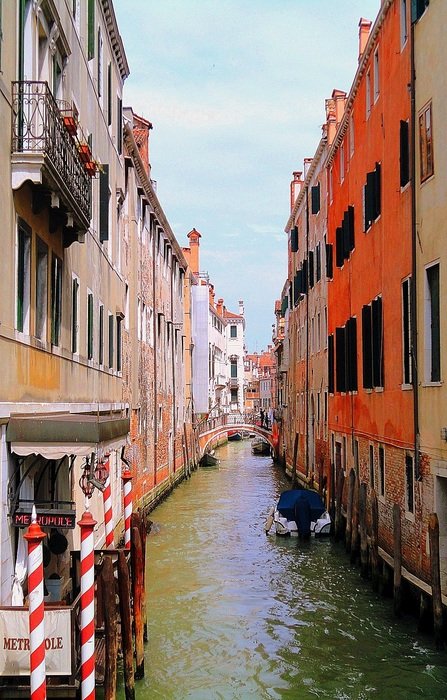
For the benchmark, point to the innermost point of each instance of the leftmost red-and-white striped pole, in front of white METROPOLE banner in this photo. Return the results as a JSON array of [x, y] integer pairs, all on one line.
[[34, 537]]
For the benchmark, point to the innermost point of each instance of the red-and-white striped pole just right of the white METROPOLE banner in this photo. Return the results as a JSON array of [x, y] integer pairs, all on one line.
[[87, 525]]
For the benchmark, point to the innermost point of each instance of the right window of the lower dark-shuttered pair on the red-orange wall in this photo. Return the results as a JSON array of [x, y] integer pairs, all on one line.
[[372, 344]]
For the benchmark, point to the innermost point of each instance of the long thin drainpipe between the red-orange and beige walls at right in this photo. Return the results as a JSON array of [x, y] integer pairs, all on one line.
[[413, 300]]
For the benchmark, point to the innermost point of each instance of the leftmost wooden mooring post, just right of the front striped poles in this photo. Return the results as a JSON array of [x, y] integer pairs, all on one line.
[[111, 632]]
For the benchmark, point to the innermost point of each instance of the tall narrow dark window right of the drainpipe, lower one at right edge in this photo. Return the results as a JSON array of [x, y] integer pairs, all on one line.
[[432, 326]]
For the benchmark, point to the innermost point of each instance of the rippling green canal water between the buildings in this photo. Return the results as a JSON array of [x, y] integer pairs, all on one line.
[[234, 614]]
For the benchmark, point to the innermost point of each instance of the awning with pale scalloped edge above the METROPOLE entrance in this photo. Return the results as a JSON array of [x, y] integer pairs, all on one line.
[[55, 435]]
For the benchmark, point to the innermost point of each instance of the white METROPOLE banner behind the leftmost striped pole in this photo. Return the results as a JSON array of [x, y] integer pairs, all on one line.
[[14, 642]]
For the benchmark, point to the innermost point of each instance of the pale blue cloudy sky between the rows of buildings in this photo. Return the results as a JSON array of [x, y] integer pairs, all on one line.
[[235, 91]]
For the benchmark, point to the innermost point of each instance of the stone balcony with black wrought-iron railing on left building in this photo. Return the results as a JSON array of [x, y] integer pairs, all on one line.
[[45, 153]]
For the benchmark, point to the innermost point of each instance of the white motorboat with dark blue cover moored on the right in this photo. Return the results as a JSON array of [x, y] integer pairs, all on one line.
[[299, 512]]
